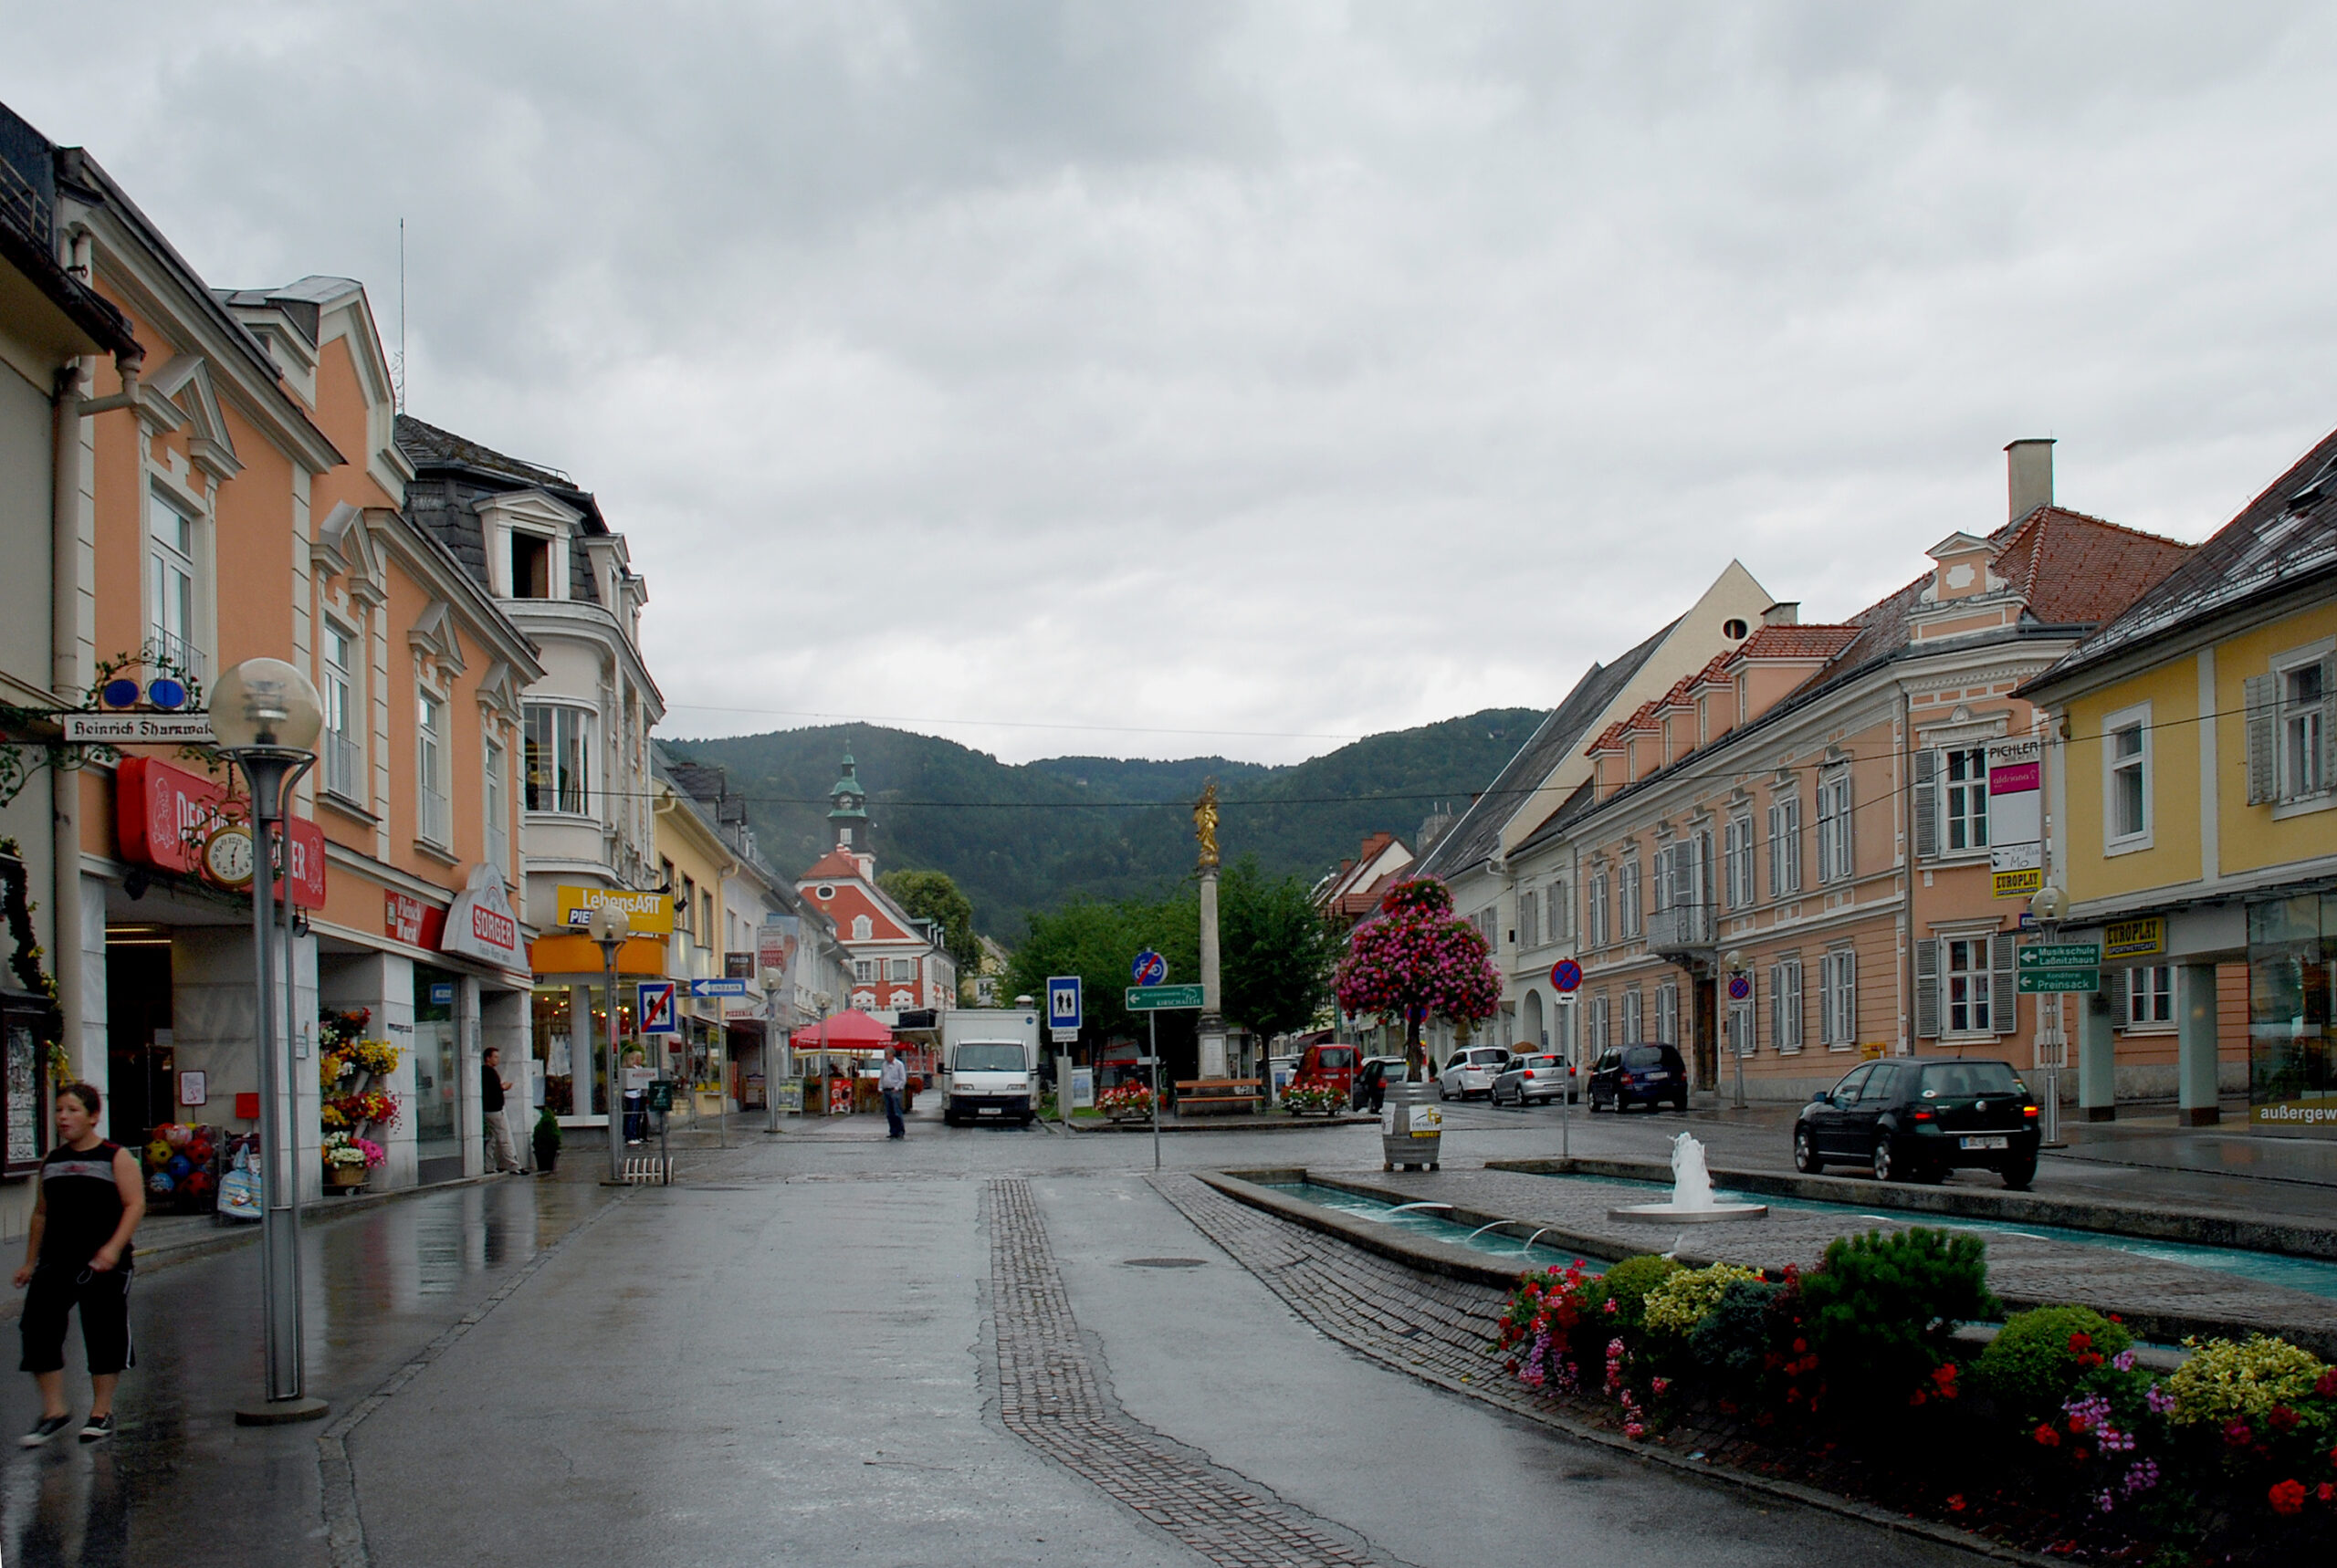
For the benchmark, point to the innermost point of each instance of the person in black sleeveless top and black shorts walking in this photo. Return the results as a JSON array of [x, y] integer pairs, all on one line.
[[78, 1254]]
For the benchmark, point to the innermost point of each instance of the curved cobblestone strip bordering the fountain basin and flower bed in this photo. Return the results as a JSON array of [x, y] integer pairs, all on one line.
[[1441, 1331]]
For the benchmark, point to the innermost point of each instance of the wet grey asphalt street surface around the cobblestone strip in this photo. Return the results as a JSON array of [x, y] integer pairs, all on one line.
[[786, 1361]]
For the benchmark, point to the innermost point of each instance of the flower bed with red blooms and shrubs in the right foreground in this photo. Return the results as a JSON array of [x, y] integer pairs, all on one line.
[[1847, 1378]]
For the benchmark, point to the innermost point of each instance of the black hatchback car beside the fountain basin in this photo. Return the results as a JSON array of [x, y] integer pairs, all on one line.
[[1918, 1118]]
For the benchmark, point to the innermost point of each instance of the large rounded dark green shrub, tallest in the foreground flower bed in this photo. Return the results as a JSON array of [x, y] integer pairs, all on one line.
[[1880, 1310]]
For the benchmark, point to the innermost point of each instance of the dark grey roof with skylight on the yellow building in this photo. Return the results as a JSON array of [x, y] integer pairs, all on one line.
[[2280, 541]]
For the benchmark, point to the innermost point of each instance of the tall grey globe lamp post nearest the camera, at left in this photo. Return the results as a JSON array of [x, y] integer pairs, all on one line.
[[268, 719]]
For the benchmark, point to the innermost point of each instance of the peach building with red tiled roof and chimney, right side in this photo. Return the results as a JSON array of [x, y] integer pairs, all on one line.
[[1810, 817]]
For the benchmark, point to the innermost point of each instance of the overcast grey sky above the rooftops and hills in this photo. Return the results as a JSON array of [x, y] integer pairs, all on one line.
[[1280, 373]]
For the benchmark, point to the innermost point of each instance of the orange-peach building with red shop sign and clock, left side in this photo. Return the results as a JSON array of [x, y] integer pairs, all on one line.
[[240, 494]]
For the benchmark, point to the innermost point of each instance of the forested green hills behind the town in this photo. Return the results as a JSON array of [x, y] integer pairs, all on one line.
[[1048, 833]]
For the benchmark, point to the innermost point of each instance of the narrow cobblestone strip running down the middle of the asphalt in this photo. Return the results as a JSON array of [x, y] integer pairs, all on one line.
[[1050, 1396]]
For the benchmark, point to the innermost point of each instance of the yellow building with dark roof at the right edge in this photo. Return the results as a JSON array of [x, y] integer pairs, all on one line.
[[2196, 821]]
